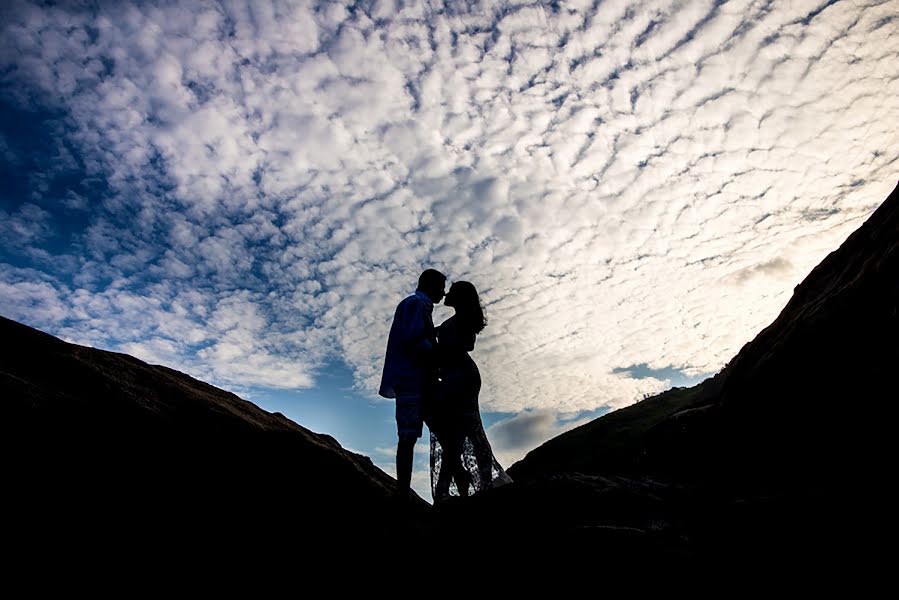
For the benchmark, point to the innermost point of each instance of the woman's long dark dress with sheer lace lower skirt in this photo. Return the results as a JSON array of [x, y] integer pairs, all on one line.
[[455, 422]]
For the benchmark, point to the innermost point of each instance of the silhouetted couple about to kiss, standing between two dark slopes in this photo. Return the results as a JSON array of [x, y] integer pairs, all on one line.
[[434, 379]]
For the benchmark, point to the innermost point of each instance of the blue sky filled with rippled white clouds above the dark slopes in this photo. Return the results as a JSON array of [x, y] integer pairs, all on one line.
[[244, 191]]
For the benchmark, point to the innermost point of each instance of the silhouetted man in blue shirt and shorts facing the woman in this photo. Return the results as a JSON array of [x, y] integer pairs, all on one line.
[[410, 369]]
